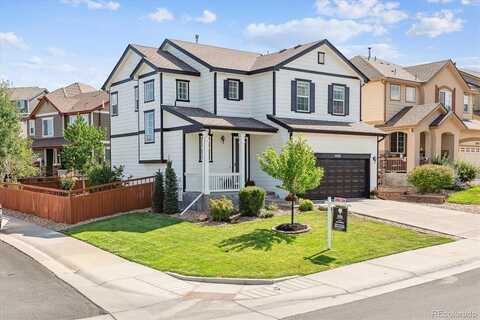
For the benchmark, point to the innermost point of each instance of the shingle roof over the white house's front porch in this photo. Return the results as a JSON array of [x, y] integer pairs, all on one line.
[[208, 120]]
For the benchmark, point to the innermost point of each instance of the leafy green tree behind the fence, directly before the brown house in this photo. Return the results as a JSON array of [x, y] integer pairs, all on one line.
[[85, 147]]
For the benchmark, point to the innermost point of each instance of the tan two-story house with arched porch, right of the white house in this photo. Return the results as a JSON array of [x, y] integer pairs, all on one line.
[[425, 109]]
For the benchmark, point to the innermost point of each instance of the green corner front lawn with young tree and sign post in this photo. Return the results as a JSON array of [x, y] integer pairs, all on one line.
[[249, 249]]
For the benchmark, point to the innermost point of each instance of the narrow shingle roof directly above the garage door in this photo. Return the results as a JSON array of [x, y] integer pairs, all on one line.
[[309, 125]]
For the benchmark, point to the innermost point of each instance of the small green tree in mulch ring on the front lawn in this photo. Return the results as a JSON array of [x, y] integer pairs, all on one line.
[[295, 167]]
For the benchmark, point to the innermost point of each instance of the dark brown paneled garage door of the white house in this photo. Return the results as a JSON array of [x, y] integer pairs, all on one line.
[[345, 175]]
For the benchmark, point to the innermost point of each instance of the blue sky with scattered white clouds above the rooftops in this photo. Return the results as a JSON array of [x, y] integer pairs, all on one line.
[[56, 42]]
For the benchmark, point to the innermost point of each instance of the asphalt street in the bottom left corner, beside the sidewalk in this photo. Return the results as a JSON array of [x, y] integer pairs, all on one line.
[[29, 291]]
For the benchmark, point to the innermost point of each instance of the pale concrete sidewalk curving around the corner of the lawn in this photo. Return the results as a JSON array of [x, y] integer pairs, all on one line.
[[130, 291]]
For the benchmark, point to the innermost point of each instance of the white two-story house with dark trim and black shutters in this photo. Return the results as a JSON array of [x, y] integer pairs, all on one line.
[[212, 111]]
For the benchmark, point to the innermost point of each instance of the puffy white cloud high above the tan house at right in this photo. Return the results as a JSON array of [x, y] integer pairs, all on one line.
[[438, 23]]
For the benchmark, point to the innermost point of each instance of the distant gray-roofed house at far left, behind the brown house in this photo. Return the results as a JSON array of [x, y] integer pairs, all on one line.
[[26, 99]]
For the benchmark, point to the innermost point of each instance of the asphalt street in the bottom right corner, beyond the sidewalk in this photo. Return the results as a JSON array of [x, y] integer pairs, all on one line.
[[456, 297]]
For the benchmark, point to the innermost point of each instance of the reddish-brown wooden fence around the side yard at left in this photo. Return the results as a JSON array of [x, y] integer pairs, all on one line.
[[78, 205]]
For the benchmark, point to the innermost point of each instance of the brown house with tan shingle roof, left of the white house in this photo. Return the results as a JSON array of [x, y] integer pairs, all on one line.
[[55, 111]]
